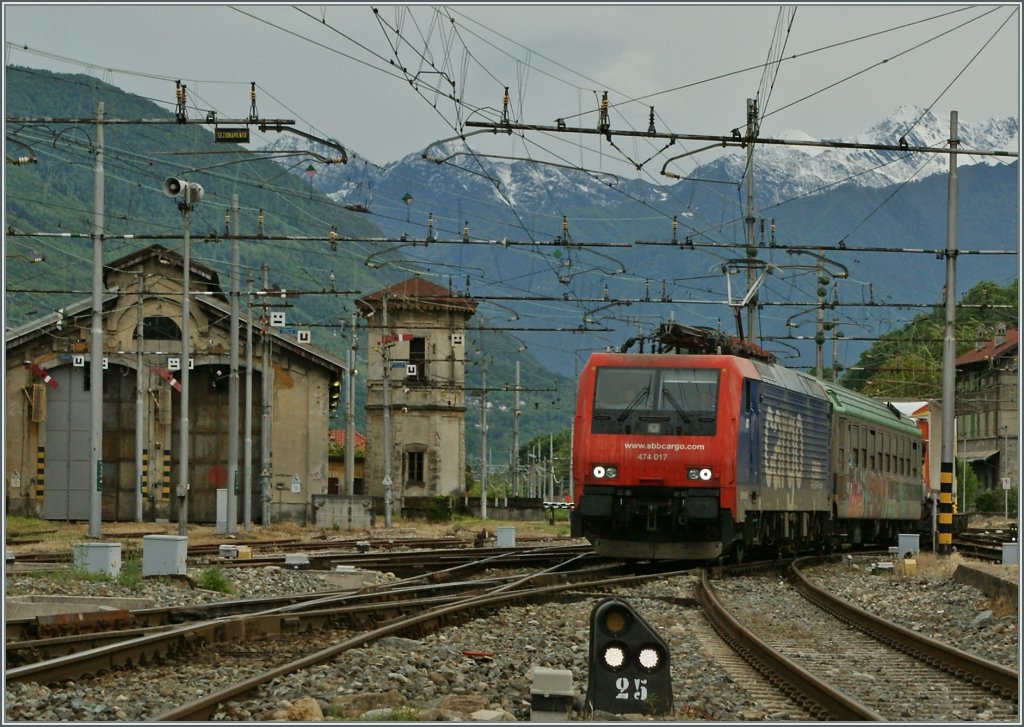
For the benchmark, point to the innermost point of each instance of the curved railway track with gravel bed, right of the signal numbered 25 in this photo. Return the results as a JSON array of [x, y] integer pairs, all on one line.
[[839, 662]]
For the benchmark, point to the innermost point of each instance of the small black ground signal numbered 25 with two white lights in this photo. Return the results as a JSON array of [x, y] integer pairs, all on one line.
[[629, 663]]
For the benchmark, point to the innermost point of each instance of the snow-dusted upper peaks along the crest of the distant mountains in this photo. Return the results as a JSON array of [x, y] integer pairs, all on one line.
[[782, 172]]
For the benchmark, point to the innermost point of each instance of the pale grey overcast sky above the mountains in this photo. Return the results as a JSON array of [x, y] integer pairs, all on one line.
[[368, 81]]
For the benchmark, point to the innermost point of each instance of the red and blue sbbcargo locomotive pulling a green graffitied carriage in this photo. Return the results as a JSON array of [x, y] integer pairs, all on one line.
[[720, 452]]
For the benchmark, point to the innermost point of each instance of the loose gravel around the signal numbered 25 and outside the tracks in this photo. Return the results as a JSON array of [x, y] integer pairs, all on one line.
[[434, 678]]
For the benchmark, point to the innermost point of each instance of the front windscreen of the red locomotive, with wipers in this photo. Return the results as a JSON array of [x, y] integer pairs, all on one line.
[[659, 402]]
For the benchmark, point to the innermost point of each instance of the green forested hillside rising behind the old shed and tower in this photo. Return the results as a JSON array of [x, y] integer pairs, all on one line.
[[54, 196]]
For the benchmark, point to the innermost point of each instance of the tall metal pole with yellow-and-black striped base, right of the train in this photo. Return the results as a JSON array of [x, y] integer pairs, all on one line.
[[949, 358]]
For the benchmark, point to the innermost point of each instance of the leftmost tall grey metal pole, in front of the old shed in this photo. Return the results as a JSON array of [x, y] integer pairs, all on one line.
[[97, 340]]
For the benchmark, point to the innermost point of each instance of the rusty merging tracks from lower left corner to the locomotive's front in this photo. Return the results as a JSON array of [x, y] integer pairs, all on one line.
[[304, 634]]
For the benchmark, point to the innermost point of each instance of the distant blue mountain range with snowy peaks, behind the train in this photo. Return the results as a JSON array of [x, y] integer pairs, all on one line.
[[810, 196]]
